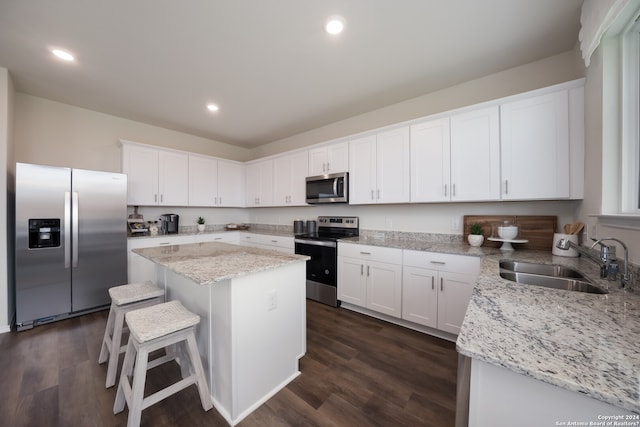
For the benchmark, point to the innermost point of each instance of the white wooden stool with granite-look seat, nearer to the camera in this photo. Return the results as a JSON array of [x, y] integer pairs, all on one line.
[[170, 326]]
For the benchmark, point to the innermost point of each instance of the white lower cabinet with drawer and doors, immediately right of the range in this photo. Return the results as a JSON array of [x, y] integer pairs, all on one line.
[[371, 277]]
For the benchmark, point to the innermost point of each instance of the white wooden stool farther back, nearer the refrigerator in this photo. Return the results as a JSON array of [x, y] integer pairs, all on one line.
[[124, 298]]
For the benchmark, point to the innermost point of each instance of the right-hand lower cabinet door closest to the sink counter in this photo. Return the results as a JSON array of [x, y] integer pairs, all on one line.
[[455, 293]]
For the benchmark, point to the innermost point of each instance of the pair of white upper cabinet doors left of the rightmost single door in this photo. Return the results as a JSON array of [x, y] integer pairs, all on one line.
[[456, 158]]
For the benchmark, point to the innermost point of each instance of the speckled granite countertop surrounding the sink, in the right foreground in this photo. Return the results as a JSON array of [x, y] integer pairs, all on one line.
[[582, 342]]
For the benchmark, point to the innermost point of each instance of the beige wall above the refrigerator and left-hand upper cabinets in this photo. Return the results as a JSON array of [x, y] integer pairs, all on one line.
[[56, 134]]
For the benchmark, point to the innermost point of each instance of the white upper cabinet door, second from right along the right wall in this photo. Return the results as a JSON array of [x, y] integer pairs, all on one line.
[[475, 155]]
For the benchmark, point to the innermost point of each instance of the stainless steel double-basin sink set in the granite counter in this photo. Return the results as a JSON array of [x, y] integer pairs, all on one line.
[[547, 275]]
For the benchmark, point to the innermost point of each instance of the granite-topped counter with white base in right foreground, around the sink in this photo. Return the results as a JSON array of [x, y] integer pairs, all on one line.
[[546, 357]]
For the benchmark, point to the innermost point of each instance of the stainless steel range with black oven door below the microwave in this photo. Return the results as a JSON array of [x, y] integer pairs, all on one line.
[[322, 247]]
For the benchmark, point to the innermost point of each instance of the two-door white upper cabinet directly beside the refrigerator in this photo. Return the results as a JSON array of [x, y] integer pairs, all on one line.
[[155, 177]]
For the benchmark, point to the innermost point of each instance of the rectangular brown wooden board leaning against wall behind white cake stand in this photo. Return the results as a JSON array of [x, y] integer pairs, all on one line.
[[537, 229]]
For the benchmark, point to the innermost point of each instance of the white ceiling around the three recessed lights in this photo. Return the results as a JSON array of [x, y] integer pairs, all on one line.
[[268, 64]]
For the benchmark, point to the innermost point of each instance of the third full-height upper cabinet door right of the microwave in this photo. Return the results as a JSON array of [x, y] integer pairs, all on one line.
[[430, 161]]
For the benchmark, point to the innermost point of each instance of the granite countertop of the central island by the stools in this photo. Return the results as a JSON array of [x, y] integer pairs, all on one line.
[[208, 263]]
